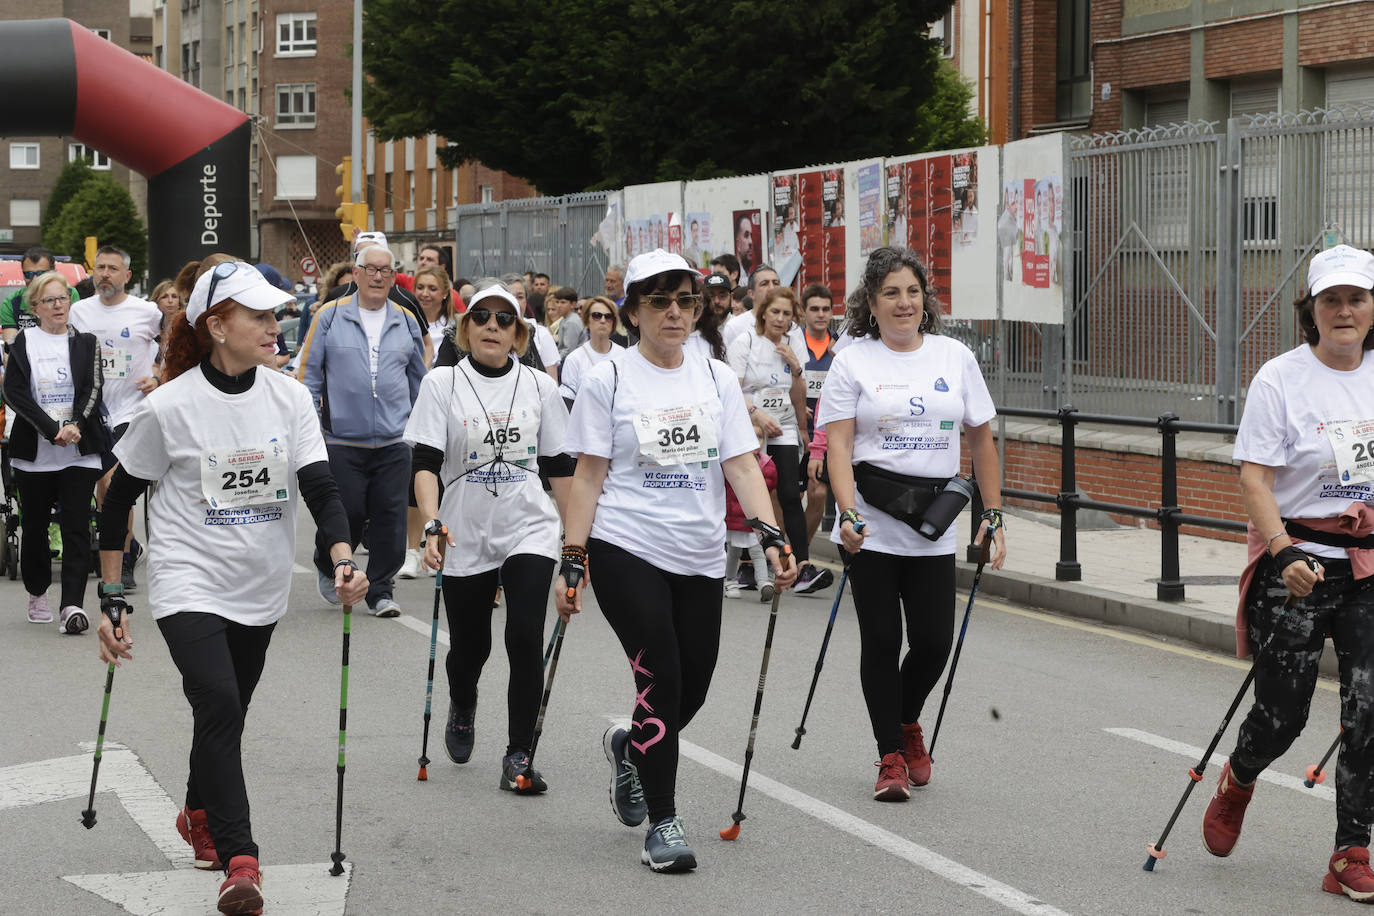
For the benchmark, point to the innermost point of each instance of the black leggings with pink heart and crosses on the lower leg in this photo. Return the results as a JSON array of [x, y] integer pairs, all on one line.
[[670, 628]]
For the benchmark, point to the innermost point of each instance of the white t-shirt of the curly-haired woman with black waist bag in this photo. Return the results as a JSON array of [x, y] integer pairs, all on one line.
[[908, 410]]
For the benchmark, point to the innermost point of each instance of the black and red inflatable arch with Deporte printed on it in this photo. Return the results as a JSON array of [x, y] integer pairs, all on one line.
[[63, 80]]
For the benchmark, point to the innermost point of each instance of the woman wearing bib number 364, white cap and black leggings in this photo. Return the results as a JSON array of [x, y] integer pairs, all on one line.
[[657, 433]]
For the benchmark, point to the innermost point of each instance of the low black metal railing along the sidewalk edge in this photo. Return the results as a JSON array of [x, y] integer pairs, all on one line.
[[1169, 513]]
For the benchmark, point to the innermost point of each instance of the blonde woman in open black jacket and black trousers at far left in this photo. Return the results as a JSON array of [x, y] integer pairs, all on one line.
[[53, 382]]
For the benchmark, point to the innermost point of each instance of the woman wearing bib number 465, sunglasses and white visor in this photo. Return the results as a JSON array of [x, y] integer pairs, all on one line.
[[487, 428]]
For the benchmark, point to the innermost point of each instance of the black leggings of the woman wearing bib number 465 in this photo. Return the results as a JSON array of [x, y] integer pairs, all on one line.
[[468, 602]]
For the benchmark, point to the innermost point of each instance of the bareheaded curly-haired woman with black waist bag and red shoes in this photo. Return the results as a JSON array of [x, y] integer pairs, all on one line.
[[892, 407]]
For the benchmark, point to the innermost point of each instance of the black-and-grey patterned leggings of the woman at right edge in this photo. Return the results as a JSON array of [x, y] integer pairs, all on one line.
[[1344, 609]]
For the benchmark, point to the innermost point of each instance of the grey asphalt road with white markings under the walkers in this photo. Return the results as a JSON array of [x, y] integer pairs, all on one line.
[[1039, 810]]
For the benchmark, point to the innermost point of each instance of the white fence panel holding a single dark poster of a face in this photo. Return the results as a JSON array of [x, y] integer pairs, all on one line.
[[729, 215]]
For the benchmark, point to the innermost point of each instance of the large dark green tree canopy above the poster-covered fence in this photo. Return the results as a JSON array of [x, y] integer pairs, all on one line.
[[596, 94]]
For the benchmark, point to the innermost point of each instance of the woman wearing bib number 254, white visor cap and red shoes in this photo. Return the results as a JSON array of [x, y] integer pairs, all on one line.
[[230, 448]]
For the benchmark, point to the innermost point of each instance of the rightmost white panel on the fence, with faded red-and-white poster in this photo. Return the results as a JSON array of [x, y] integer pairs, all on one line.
[[1030, 227]]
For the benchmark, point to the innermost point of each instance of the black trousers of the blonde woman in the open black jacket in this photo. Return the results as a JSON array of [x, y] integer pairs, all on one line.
[[39, 492]]
